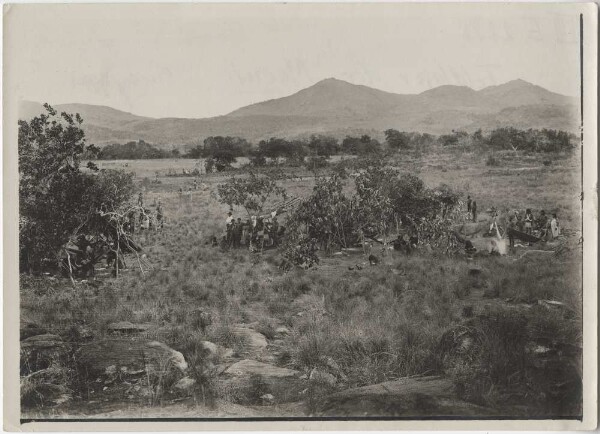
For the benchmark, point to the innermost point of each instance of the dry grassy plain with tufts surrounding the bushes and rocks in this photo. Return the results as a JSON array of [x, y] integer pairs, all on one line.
[[503, 331]]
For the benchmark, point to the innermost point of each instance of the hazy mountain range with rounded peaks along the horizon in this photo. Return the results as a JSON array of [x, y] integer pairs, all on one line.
[[339, 108]]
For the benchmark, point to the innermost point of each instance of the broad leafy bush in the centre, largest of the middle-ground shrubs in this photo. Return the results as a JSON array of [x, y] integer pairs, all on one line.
[[384, 201]]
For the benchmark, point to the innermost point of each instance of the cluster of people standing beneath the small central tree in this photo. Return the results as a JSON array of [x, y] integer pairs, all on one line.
[[254, 233]]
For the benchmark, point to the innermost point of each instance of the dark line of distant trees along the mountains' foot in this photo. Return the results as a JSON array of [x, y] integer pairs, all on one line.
[[221, 152]]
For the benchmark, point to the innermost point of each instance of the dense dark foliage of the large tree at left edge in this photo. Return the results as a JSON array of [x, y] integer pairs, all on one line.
[[56, 198]]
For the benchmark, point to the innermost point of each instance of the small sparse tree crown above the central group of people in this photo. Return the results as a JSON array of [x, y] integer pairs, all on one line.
[[252, 192]]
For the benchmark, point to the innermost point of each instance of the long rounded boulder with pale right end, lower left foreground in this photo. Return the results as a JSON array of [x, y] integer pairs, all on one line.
[[128, 358]]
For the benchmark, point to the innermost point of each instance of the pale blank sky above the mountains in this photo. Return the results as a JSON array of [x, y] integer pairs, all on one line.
[[207, 60]]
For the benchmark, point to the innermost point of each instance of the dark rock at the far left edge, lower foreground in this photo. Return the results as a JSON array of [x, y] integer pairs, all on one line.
[[40, 351]]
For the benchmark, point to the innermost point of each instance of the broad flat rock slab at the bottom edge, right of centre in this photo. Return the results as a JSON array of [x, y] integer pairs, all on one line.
[[413, 397]]
